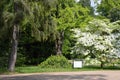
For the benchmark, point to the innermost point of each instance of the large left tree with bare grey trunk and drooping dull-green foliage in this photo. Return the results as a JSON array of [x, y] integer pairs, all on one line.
[[18, 14]]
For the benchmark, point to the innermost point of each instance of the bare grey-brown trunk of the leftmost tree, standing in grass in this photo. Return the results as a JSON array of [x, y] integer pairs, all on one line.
[[13, 55]]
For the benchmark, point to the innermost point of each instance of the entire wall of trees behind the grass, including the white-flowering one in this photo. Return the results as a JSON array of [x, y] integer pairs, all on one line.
[[33, 30]]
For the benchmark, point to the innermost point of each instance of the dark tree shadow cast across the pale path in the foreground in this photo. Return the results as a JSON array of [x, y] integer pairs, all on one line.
[[58, 77]]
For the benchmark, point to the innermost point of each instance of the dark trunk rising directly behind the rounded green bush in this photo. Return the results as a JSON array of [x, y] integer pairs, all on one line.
[[59, 42]]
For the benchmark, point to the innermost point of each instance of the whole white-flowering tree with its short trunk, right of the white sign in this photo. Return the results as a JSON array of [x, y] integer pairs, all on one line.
[[100, 39]]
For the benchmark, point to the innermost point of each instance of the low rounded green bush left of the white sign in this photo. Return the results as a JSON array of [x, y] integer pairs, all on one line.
[[55, 62]]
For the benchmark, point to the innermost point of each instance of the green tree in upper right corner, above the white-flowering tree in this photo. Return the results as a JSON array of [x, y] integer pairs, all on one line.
[[110, 9]]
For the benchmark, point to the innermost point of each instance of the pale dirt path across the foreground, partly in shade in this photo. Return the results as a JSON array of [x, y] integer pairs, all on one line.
[[83, 75]]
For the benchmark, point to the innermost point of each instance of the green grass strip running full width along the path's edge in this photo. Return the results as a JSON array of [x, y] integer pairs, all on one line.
[[37, 69]]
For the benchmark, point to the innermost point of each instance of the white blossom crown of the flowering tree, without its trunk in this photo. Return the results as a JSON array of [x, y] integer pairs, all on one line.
[[109, 43]]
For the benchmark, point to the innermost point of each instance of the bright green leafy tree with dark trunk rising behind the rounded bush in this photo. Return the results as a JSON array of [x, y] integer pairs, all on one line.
[[68, 14]]
